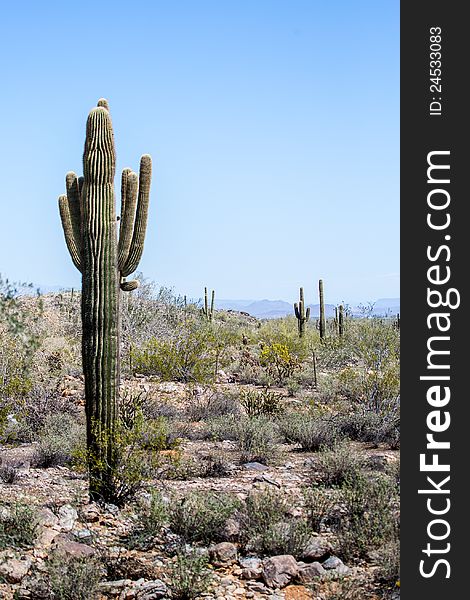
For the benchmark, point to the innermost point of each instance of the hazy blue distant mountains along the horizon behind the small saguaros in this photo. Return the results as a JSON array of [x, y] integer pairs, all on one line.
[[272, 309]]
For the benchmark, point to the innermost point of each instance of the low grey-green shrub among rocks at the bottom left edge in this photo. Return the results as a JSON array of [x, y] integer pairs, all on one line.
[[74, 578]]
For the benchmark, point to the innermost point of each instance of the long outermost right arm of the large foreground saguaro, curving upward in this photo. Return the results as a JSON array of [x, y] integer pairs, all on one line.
[[140, 225]]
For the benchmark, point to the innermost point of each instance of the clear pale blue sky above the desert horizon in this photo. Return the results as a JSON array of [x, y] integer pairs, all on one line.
[[273, 127]]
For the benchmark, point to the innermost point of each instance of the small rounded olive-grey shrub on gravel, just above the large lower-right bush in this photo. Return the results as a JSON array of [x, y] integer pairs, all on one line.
[[338, 465]]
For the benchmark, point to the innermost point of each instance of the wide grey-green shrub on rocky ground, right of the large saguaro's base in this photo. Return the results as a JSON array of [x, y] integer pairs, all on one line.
[[201, 516]]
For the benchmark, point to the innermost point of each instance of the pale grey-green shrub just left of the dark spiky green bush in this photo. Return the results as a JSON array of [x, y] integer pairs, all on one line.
[[205, 404]]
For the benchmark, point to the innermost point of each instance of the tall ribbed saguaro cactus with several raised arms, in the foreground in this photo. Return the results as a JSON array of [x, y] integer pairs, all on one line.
[[88, 215]]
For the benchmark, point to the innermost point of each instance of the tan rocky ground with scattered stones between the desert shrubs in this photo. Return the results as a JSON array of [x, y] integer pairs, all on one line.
[[70, 527]]
